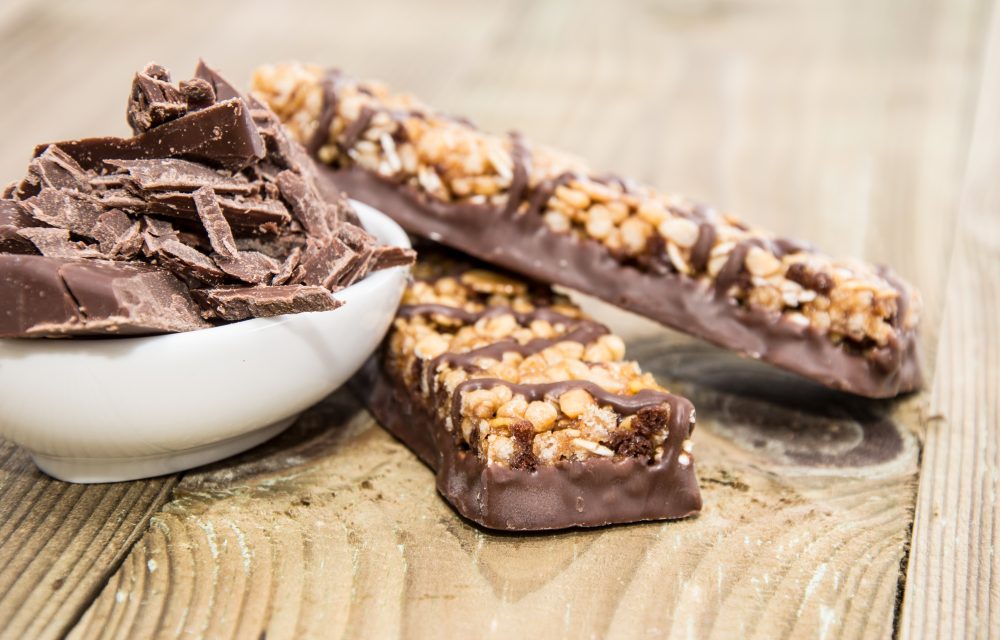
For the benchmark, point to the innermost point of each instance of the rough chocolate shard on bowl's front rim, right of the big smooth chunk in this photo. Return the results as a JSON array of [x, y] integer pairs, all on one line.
[[233, 304]]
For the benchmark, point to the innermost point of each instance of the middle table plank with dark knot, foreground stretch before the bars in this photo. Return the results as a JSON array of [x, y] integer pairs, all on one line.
[[335, 529]]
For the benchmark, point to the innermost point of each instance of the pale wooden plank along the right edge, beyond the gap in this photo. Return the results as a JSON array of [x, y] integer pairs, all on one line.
[[953, 584]]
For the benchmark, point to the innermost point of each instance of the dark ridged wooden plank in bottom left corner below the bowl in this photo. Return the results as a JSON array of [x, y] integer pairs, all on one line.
[[60, 542]]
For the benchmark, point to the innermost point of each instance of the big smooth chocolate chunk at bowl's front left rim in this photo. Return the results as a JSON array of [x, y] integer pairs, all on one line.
[[53, 297]]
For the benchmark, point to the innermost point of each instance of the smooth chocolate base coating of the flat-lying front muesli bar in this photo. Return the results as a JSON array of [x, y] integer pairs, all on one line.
[[587, 493]]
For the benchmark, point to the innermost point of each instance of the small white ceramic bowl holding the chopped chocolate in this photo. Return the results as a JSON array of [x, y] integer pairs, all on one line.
[[126, 408]]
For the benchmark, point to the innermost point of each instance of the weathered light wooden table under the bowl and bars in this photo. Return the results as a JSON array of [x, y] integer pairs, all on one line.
[[868, 126]]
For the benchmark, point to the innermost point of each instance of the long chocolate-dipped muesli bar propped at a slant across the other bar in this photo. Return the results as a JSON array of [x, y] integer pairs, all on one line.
[[845, 323]]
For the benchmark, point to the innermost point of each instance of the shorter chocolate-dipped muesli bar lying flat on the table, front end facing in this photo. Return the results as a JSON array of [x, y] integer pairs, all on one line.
[[525, 408]]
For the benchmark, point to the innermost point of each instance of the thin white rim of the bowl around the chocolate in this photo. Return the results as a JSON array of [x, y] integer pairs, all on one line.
[[386, 230]]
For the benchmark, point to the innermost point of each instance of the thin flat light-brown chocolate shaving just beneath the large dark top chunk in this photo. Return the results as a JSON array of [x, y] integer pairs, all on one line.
[[171, 174]]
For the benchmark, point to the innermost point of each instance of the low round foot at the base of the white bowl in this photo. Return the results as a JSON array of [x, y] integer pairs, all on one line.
[[94, 470]]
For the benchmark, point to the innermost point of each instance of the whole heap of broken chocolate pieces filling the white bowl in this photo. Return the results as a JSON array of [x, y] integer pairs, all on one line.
[[209, 213]]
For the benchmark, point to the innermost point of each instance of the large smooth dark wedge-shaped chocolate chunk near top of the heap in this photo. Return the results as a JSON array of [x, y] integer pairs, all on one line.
[[222, 135]]
